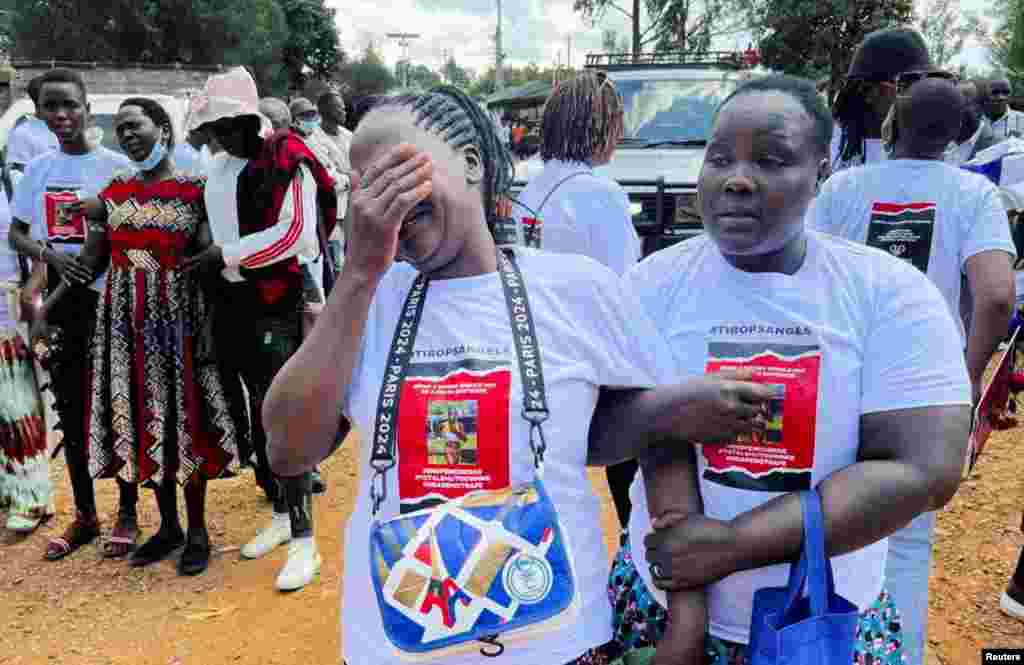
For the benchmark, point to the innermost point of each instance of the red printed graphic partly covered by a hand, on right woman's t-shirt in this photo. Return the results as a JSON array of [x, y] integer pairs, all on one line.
[[781, 459]]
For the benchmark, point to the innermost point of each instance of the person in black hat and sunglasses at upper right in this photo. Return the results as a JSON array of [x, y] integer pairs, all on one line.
[[866, 99]]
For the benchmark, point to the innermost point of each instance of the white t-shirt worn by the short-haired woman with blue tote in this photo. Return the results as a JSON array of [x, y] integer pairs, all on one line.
[[852, 332]]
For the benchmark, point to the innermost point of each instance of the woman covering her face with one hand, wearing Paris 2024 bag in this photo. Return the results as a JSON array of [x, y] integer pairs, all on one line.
[[431, 316]]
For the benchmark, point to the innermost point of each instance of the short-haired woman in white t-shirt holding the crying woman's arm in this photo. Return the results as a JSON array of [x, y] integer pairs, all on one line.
[[874, 406]]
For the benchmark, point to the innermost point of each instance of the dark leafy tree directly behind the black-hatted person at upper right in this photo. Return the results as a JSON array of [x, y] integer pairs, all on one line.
[[816, 38]]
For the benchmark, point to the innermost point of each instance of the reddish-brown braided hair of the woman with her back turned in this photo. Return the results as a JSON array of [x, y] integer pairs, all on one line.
[[582, 116]]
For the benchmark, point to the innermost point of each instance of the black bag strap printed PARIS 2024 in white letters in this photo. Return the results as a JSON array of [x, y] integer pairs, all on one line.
[[535, 402]]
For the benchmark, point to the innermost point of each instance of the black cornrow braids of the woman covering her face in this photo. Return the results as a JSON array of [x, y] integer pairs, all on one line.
[[451, 114]]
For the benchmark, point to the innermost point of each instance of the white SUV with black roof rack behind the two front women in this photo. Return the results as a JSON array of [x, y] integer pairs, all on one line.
[[670, 102]]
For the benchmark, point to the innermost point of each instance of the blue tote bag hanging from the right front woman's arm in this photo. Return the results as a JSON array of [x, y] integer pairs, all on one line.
[[790, 629]]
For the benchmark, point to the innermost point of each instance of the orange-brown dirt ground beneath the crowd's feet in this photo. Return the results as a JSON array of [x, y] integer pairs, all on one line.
[[87, 611]]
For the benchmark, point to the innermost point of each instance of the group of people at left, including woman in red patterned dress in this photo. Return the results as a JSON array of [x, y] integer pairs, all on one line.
[[174, 295]]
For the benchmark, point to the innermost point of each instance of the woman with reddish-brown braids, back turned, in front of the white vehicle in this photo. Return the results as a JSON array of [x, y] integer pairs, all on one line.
[[582, 213]]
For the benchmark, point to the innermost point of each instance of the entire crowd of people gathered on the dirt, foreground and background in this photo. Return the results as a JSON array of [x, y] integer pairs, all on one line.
[[246, 297]]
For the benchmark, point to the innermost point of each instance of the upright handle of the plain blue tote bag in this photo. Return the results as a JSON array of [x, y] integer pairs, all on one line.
[[814, 566]]
